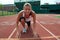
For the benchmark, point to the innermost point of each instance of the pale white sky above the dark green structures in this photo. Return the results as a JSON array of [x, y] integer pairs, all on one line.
[[42, 1]]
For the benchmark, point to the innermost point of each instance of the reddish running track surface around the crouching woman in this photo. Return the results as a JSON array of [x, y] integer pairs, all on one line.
[[52, 24]]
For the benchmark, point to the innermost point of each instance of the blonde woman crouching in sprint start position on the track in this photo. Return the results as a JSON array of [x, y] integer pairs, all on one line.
[[25, 15]]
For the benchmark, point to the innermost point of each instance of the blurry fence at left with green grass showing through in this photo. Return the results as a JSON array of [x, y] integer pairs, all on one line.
[[7, 10]]
